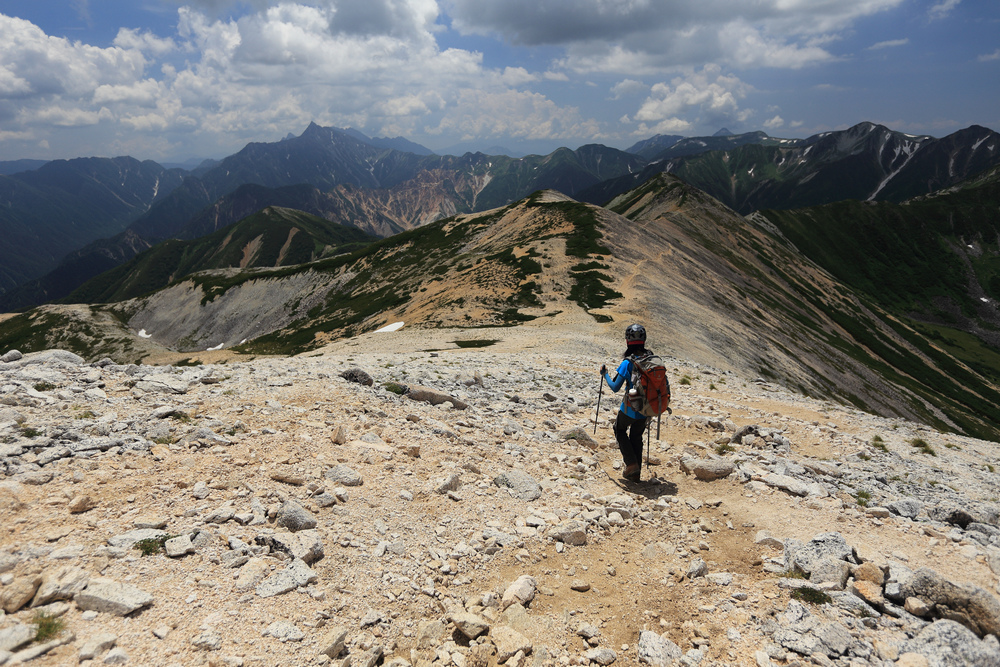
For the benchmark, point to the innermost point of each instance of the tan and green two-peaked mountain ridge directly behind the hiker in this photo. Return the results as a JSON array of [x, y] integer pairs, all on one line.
[[732, 292]]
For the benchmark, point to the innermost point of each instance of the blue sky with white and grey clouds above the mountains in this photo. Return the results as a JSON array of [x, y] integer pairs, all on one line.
[[170, 80]]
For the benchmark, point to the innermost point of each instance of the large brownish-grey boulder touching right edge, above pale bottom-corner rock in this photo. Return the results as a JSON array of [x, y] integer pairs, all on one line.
[[973, 607]]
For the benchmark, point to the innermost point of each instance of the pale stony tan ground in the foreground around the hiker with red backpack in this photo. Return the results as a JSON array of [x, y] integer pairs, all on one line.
[[438, 505]]
